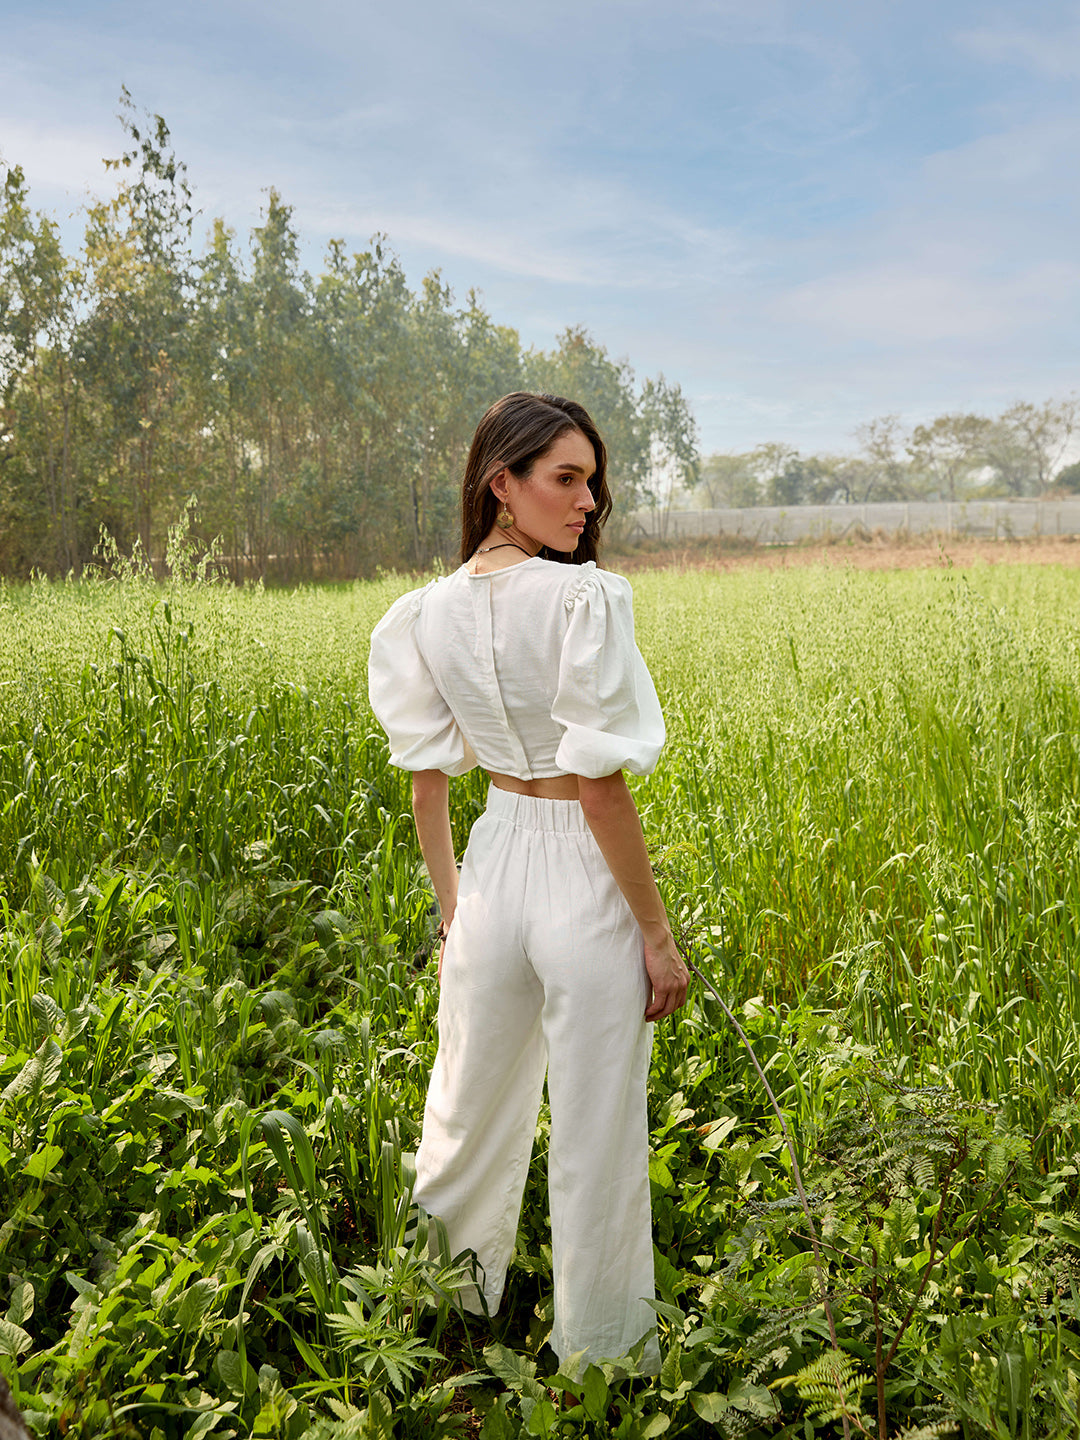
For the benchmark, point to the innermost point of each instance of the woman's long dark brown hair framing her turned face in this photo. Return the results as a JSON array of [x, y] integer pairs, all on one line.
[[513, 434]]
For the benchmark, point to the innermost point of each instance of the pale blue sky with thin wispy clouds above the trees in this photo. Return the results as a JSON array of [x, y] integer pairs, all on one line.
[[807, 214]]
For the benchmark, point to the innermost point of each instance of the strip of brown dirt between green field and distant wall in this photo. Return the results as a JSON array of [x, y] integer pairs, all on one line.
[[872, 554]]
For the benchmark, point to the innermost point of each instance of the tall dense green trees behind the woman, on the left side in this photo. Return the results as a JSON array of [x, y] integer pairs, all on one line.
[[320, 421]]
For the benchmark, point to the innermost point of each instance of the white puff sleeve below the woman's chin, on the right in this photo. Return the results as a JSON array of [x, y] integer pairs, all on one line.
[[606, 701]]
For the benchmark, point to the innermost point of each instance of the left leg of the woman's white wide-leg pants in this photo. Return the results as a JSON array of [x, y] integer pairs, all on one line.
[[487, 1081]]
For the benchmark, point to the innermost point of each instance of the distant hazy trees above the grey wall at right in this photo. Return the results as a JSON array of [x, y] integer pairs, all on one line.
[[955, 457]]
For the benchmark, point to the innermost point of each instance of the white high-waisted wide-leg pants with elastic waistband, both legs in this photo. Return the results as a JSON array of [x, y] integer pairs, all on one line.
[[545, 971]]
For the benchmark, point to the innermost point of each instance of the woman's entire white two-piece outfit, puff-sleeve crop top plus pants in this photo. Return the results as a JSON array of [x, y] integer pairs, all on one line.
[[534, 672]]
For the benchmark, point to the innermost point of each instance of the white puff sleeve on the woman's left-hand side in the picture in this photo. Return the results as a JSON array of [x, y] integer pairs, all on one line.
[[407, 702]]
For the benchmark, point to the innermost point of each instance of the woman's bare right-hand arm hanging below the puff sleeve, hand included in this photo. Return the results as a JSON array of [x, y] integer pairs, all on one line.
[[614, 820]]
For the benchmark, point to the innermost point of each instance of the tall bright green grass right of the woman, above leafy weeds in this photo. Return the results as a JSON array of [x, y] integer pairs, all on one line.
[[873, 796]]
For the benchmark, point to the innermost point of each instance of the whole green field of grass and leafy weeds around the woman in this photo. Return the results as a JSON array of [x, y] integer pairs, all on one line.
[[217, 1022]]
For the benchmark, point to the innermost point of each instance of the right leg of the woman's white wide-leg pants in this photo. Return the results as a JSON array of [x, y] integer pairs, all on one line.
[[588, 953]]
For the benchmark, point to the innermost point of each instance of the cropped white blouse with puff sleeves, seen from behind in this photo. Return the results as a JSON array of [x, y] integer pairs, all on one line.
[[531, 672]]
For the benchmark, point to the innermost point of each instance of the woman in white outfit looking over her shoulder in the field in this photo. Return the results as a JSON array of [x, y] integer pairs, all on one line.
[[557, 951]]
